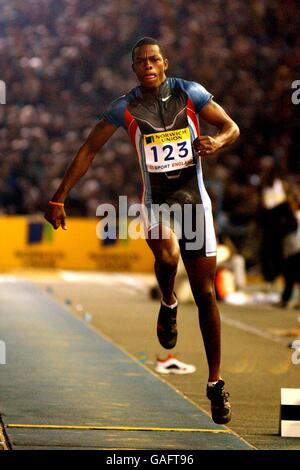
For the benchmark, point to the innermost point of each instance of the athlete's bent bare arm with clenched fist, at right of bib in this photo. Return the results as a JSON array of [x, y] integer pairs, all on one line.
[[227, 134]]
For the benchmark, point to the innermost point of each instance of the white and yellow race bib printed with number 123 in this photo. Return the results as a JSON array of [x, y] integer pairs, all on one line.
[[168, 150]]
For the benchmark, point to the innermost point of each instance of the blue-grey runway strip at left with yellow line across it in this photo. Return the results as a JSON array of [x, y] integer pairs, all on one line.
[[61, 372]]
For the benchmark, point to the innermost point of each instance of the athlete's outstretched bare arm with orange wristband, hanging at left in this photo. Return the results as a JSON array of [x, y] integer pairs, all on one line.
[[78, 167]]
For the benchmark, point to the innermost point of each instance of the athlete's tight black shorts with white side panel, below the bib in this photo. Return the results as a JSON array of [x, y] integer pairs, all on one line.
[[182, 204]]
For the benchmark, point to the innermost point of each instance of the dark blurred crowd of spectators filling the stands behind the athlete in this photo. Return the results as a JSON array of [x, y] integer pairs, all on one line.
[[64, 61]]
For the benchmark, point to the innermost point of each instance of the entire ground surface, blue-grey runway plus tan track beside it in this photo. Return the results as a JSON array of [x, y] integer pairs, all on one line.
[[80, 368]]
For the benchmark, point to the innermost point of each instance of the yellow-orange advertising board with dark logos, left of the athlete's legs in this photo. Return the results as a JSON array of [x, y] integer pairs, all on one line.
[[30, 242]]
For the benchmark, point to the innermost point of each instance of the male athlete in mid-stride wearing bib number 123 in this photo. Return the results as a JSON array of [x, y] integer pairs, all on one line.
[[161, 118]]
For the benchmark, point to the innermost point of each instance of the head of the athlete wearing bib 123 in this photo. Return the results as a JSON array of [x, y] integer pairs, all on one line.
[[149, 66]]
